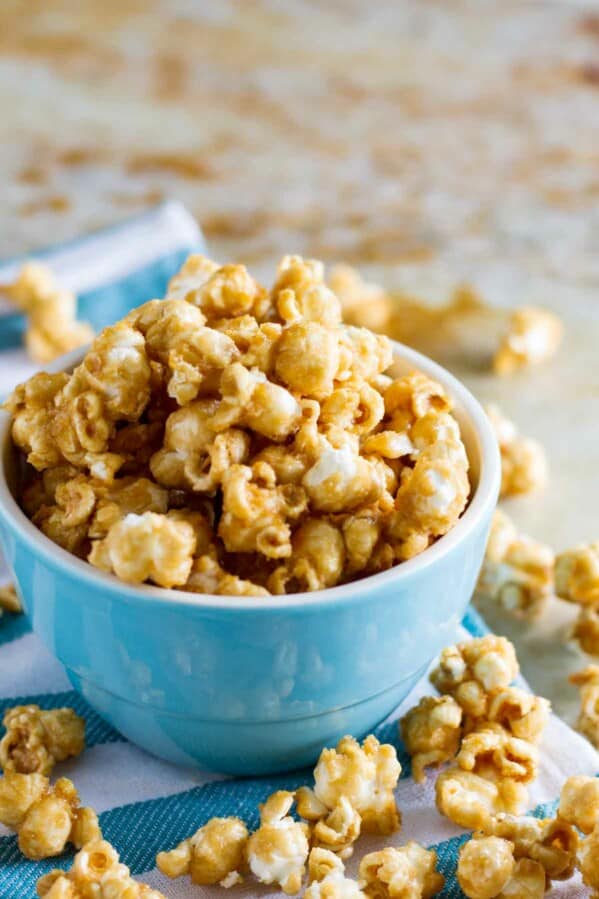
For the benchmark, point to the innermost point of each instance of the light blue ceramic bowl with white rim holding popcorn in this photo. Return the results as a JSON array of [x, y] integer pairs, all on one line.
[[253, 685]]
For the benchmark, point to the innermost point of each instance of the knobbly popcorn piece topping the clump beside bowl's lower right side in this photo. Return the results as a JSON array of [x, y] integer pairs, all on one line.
[[472, 670]]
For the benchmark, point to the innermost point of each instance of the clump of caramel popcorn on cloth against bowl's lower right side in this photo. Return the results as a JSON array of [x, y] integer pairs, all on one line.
[[489, 727]]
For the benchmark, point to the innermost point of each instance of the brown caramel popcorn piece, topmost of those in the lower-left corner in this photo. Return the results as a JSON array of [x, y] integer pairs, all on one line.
[[35, 740]]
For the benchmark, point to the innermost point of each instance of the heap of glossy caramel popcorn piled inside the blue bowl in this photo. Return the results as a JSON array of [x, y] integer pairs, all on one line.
[[233, 440]]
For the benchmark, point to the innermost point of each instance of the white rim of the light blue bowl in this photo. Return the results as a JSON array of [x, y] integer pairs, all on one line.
[[481, 503]]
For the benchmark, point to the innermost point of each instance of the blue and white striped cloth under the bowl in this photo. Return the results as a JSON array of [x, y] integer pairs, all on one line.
[[146, 805]]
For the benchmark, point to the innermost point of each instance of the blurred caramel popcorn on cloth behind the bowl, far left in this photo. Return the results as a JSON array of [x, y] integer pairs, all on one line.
[[52, 328]]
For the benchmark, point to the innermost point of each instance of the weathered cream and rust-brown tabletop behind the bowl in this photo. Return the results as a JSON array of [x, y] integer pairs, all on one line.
[[426, 142]]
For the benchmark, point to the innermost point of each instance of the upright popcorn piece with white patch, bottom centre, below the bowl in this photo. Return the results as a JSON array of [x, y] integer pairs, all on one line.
[[278, 850]]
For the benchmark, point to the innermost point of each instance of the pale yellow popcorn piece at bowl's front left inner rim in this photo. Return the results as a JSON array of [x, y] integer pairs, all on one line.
[[147, 547]]
